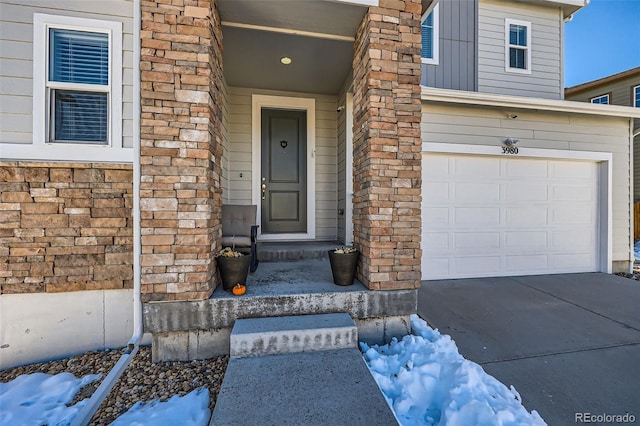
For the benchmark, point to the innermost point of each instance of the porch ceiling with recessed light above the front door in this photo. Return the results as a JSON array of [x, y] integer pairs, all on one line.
[[316, 34]]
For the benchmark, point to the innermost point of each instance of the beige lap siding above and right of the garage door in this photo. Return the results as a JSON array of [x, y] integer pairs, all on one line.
[[574, 132]]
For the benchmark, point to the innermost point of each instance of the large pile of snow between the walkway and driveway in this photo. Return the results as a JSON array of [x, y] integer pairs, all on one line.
[[427, 382]]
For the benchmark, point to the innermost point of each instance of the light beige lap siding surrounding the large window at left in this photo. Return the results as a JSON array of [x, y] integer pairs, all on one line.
[[16, 55]]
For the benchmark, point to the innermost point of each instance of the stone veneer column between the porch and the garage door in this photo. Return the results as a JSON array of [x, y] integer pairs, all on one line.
[[387, 145]]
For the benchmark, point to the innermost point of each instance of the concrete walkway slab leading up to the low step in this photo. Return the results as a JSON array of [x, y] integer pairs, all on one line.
[[332, 387]]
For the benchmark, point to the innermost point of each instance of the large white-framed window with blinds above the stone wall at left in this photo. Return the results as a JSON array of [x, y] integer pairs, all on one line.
[[78, 81]]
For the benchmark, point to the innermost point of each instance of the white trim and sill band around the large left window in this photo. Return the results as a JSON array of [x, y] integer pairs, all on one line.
[[113, 151]]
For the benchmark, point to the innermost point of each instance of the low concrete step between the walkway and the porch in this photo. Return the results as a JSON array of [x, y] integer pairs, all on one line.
[[292, 334]]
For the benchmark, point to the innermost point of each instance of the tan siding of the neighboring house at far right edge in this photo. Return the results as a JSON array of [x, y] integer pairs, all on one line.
[[620, 93]]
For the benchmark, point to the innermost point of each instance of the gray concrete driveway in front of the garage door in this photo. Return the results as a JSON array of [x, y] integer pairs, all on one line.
[[569, 343]]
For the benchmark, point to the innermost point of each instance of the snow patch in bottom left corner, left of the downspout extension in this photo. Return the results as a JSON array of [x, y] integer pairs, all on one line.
[[37, 399]]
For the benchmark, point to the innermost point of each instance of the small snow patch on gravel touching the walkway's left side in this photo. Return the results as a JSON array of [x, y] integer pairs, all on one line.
[[191, 409]]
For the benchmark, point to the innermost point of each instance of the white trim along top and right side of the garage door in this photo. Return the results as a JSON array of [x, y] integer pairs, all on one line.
[[604, 159]]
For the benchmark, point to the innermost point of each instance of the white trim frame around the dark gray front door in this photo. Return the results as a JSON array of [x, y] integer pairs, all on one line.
[[284, 102]]
